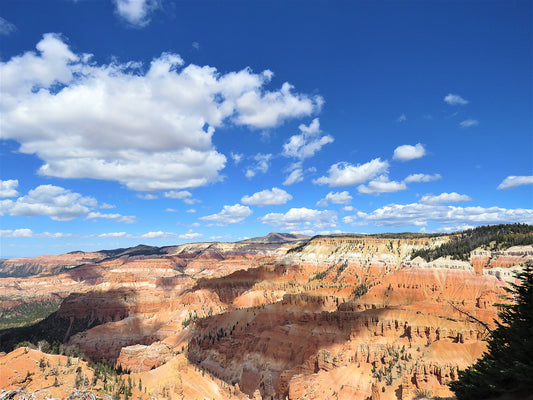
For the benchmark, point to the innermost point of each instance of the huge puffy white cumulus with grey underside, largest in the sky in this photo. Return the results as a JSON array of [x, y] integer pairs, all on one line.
[[148, 128]]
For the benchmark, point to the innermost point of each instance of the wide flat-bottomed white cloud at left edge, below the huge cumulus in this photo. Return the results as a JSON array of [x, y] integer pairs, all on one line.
[[47, 200]]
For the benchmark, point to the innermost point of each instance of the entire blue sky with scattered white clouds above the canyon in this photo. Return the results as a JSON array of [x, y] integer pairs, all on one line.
[[164, 122]]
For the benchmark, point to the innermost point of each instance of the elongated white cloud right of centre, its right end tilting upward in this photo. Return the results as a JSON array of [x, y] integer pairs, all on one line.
[[346, 174]]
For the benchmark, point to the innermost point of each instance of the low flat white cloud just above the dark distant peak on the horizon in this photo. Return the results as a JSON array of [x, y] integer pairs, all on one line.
[[297, 219]]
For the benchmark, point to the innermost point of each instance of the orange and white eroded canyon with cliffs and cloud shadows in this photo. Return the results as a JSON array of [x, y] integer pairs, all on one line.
[[278, 317]]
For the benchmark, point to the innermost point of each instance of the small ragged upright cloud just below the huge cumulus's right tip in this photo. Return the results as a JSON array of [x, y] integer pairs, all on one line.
[[307, 143]]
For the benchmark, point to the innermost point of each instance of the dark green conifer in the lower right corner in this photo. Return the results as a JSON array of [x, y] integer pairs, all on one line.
[[506, 369]]
